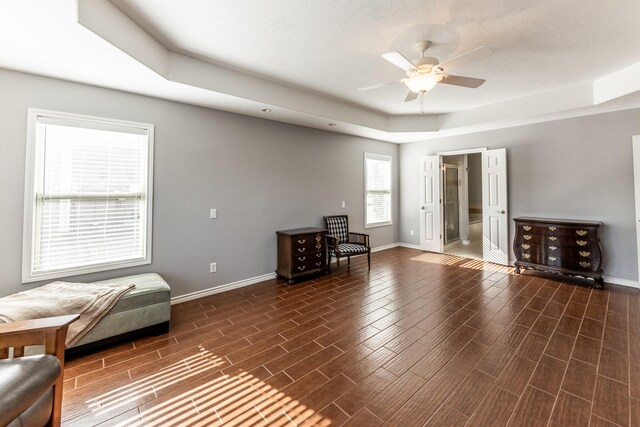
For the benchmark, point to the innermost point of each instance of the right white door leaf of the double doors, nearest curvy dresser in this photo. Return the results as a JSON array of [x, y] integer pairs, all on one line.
[[495, 217]]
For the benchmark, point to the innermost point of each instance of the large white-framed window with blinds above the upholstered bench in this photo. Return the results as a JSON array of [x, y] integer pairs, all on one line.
[[87, 195]]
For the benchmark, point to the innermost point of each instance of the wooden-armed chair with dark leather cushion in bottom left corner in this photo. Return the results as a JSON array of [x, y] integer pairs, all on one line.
[[34, 381]]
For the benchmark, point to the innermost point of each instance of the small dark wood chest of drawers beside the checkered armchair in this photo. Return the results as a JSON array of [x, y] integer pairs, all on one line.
[[301, 252]]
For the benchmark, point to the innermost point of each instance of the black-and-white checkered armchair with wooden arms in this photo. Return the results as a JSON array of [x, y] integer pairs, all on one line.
[[341, 243]]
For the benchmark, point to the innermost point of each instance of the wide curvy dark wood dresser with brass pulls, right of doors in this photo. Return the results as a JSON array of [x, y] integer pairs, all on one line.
[[560, 246]]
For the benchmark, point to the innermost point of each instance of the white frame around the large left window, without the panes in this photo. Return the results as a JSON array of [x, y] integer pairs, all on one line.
[[30, 205]]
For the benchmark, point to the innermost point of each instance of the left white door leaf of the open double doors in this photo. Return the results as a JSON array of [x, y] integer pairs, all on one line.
[[430, 207]]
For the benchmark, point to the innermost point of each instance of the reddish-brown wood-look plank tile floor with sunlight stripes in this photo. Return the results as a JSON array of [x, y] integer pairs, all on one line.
[[421, 339]]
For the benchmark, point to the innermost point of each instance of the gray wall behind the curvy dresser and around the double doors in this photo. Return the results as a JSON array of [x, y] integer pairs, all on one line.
[[573, 168]]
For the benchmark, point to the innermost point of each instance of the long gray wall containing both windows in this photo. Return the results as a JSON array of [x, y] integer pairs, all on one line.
[[261, 175]]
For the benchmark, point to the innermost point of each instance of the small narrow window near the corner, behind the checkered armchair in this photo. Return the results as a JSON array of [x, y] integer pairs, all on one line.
[[377, 177]]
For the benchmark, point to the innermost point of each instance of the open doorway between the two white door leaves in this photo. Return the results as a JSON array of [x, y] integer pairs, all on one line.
[[462, 205]]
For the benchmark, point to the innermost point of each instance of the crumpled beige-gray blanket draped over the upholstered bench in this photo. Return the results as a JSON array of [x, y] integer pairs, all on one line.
[[90, 300]]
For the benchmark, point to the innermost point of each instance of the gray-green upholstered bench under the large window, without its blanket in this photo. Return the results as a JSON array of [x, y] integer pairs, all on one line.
[[144, 309]]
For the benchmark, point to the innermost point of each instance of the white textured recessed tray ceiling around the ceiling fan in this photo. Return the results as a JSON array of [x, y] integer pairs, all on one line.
[[333, 46]]
